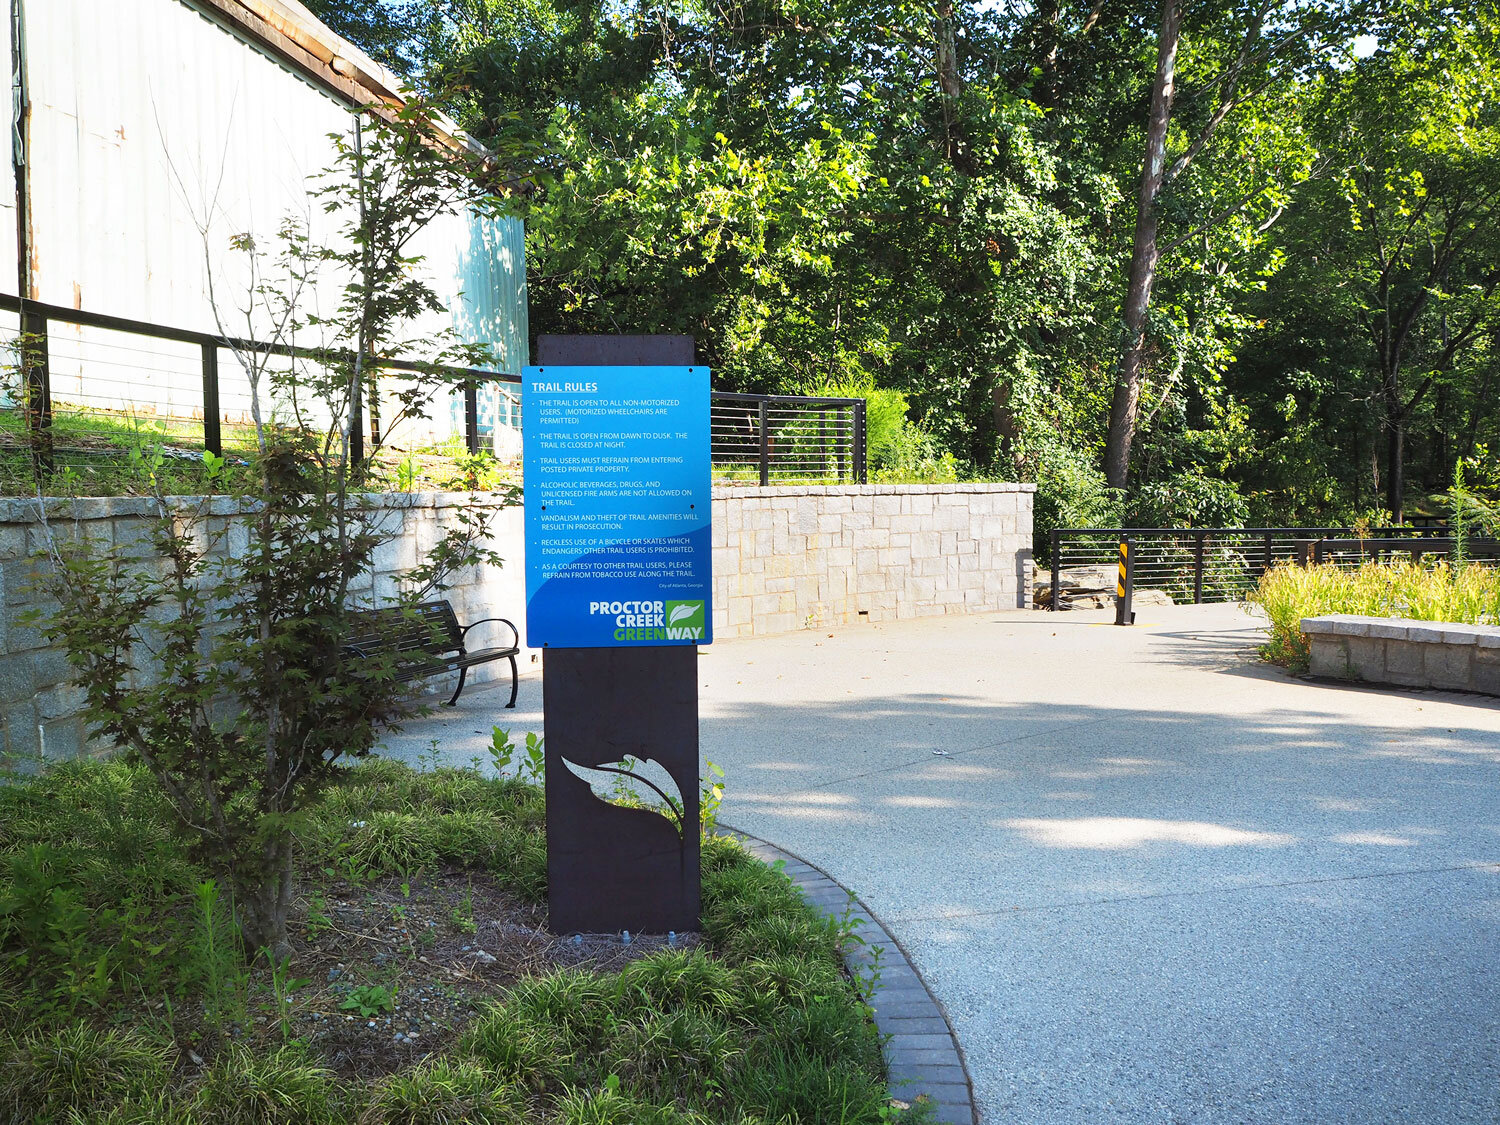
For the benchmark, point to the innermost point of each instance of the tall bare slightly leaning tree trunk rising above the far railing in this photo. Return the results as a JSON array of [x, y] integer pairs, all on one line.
[[1126, 406]]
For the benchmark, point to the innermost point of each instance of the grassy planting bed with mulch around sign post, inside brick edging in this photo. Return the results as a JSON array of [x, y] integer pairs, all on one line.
[[125, 998]]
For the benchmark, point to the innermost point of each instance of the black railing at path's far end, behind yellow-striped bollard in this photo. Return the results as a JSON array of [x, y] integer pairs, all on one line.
[[1213, 565]]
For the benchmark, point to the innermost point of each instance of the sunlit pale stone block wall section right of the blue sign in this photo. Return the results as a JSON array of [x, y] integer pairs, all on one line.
[[805, 557]]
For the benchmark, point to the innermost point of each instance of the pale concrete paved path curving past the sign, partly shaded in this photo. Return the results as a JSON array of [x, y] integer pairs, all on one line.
[[1151, 880]]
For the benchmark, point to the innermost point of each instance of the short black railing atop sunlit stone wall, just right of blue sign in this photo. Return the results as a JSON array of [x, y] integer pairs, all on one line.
[[787, 439]]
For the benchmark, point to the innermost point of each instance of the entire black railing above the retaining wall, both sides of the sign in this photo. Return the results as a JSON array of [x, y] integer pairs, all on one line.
[[89, 386]]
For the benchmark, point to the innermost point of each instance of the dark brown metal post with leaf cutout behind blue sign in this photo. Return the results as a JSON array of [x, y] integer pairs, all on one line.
[[614, 868]]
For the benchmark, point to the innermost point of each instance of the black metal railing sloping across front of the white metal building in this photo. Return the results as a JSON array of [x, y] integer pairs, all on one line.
[[79, 395]]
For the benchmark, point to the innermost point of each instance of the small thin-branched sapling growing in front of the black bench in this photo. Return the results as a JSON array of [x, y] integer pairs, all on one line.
[[217, 653]]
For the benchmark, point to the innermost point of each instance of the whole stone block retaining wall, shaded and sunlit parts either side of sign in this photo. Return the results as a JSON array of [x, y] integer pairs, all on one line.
[[784, 560]]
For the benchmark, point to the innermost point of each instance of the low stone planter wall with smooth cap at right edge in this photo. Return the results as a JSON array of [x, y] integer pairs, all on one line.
[[1409, 653]]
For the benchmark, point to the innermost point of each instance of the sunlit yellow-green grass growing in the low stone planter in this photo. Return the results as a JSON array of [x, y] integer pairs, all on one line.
[[1288, 593]]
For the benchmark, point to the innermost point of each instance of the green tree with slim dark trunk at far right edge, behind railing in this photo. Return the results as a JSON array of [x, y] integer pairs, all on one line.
[[1420, 247]]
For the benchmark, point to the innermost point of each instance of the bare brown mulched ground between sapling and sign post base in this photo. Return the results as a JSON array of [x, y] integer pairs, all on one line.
[[425, 956]]
